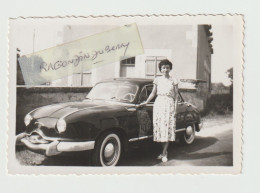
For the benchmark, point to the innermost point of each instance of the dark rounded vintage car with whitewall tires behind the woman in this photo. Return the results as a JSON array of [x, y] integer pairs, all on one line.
[[106, 122]]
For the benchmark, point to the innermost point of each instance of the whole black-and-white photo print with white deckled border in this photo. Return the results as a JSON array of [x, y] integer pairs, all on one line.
[[156, 94]]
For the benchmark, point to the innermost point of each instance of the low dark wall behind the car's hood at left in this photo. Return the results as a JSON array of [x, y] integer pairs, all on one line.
[[30, 98]]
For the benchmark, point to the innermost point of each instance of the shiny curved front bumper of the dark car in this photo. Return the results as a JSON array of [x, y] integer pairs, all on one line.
[[55, 147]]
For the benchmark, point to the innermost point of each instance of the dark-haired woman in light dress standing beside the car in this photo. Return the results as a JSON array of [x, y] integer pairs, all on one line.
[[164, 110]]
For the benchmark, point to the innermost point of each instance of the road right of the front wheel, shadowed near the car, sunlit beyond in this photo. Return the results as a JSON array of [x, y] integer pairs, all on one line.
[[213, 146]]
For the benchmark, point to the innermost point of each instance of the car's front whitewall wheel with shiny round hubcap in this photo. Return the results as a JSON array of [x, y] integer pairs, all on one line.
[[107, 150]]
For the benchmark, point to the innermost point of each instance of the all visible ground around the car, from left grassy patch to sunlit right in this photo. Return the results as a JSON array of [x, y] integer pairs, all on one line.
[[213, 146]]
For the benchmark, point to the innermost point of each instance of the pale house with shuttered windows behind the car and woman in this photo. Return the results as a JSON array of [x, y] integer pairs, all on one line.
[[187, 46]]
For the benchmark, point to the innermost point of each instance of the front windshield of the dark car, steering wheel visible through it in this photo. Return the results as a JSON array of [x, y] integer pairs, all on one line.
[[116, 91]]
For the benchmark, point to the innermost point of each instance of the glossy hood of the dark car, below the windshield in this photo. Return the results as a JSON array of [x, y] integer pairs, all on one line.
[[64, 109]]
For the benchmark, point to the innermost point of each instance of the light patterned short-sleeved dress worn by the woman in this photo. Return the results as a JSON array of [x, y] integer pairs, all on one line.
[[164, 123]]
